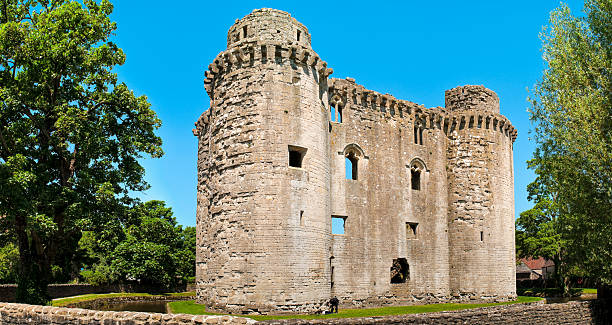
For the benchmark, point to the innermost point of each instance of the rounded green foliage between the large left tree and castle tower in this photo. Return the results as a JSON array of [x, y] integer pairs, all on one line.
[[149, 247]]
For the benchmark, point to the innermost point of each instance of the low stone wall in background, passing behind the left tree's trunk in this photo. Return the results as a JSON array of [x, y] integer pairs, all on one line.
[[8, 291]]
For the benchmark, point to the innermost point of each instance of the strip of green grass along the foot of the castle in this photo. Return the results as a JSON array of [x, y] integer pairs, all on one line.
[[190, 307]]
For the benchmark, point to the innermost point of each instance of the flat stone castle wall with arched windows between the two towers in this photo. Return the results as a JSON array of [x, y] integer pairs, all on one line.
[[380, 204]]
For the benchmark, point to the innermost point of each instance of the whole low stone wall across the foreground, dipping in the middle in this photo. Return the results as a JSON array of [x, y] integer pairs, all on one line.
[[586, 312]]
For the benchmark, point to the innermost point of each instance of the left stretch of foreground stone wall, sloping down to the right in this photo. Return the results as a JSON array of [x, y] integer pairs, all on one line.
[[20, 314]]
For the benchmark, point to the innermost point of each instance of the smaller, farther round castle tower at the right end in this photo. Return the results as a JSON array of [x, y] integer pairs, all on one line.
[[480, 196]]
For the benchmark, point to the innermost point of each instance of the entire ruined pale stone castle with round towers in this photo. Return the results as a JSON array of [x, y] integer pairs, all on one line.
[[427, 209]]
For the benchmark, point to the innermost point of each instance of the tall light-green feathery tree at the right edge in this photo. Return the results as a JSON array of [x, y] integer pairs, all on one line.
[[571, 111]]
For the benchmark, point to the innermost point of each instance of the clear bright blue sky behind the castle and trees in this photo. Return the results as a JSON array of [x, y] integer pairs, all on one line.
[[414, 50]]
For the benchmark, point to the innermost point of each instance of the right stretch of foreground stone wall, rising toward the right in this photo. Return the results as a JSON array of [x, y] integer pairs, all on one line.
[[586, 312]]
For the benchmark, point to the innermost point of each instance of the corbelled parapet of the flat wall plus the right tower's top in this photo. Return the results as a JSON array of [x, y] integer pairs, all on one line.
[[467, 107]]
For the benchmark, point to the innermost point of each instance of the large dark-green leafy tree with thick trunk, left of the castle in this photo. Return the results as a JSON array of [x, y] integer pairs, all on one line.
[[70, 132]]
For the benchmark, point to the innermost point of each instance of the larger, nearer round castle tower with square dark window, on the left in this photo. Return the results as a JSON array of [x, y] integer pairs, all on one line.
[[263, 165]]
